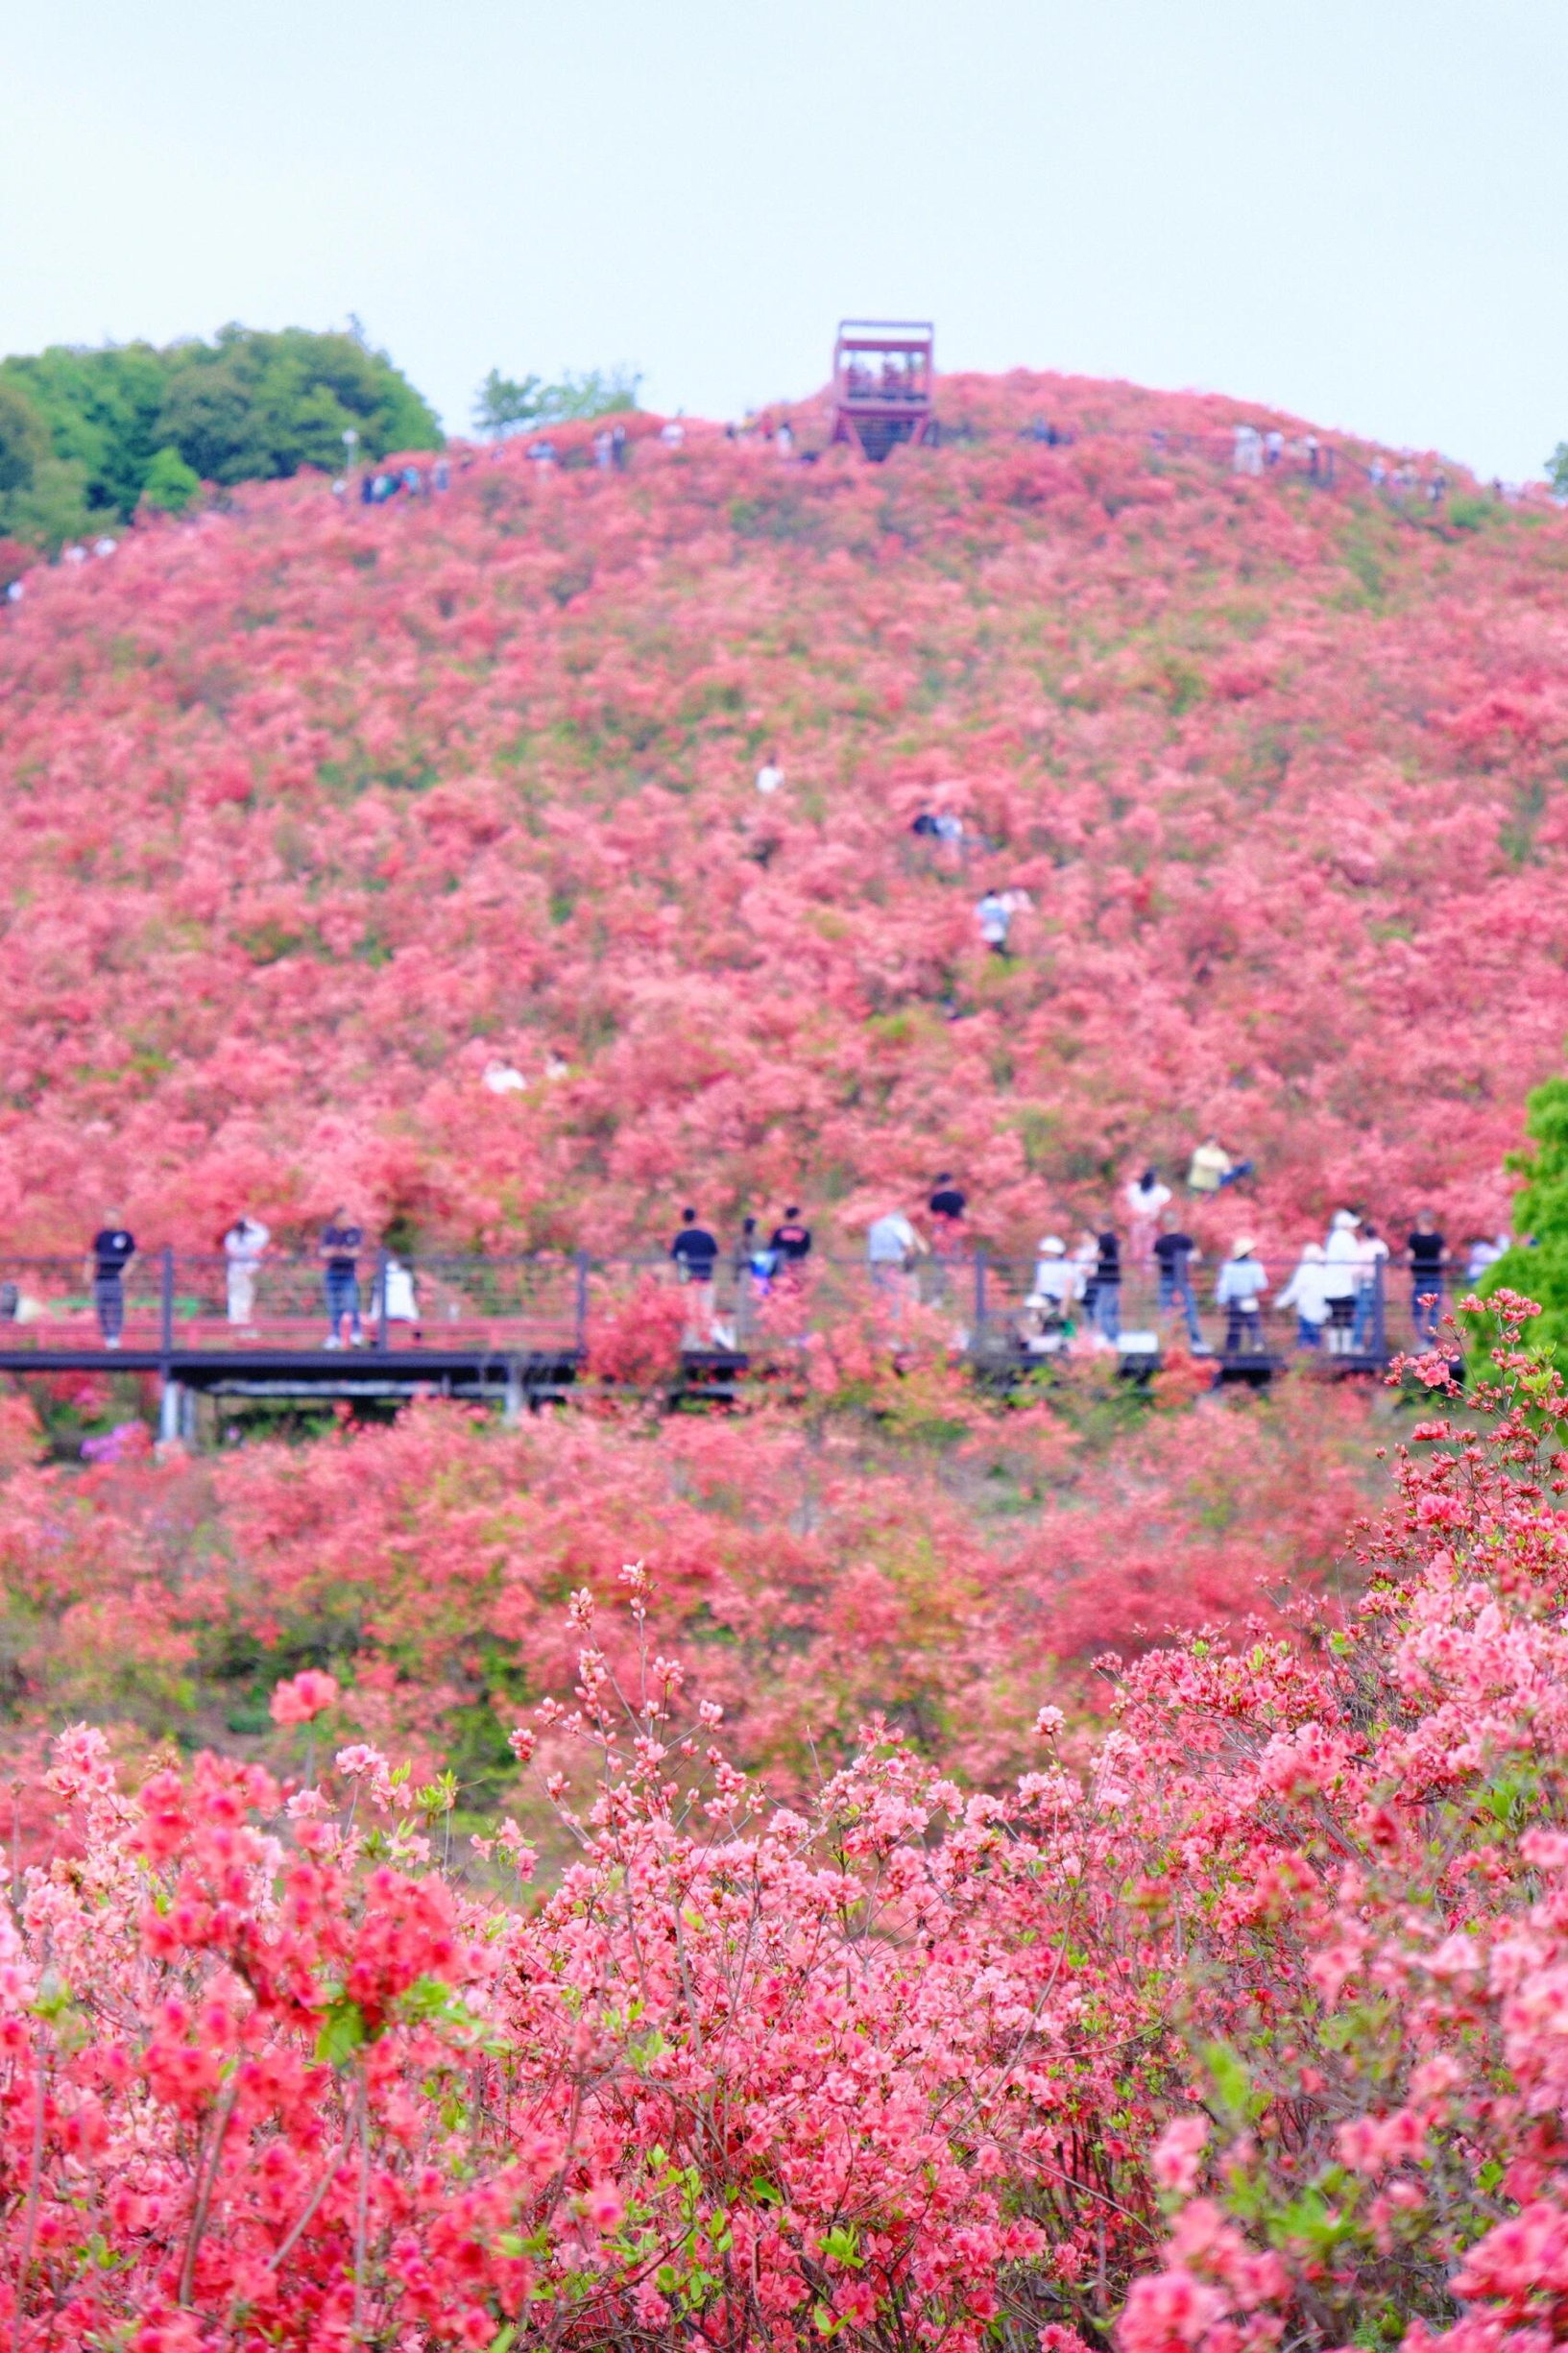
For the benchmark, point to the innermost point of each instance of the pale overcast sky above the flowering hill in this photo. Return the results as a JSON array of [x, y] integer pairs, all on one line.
[[1353, 211]]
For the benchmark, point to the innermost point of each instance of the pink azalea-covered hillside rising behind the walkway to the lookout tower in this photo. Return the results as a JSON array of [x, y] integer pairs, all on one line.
[[311, 813]]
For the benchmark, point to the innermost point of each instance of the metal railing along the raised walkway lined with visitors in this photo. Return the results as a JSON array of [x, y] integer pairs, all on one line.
[[967, 1302]]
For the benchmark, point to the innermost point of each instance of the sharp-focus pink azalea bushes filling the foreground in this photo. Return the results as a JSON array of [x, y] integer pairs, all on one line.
[[1233, 2027]]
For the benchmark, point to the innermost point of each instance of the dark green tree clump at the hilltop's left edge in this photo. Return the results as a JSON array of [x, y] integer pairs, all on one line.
[[86, 436]]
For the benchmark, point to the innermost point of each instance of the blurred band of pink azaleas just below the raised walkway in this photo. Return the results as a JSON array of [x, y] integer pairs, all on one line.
[[894, 1545]]
